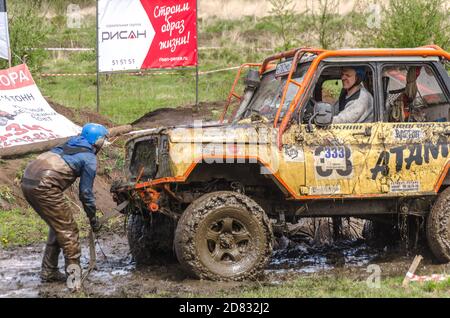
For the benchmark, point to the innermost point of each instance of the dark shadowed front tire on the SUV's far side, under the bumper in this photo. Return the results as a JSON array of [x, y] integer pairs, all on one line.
[[151, 239]]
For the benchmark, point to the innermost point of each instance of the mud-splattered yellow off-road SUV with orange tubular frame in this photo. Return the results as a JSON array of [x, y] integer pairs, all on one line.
[[218, 193]]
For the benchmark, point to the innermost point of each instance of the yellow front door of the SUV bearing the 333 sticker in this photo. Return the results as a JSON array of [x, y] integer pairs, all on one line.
[[338, 158]]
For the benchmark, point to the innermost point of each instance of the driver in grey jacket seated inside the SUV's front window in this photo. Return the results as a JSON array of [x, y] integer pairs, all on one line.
[[355, 104]]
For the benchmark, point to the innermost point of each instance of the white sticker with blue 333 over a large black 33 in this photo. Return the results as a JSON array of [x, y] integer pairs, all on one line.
[[333, 162]]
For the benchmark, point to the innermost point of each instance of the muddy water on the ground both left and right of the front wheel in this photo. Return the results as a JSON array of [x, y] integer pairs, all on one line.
[[117, 276]]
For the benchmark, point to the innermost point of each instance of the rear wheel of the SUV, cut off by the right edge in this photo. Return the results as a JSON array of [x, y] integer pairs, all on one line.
[[438, 227]]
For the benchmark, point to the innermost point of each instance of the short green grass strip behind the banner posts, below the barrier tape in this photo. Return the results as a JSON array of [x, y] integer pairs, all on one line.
[[125, 98]]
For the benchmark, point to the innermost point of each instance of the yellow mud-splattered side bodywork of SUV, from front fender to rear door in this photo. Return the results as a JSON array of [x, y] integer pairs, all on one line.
[[342, 160]]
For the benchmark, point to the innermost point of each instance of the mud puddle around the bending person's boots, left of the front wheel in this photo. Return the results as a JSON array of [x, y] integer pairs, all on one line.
[[116, 275]]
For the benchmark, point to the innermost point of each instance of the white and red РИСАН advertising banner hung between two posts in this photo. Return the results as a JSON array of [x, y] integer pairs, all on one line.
[[143, 34]]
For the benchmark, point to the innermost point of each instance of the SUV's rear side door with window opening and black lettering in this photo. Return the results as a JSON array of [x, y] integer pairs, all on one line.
[[415, 131]]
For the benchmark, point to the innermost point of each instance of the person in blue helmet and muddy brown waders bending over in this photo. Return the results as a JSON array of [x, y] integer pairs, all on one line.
[[43, 184]]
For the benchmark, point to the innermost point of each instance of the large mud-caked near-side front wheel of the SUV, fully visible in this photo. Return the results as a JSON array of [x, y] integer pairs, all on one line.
[[224, 236]]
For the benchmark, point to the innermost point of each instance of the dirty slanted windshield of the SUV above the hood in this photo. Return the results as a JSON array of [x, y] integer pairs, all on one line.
[[267, 98]]
